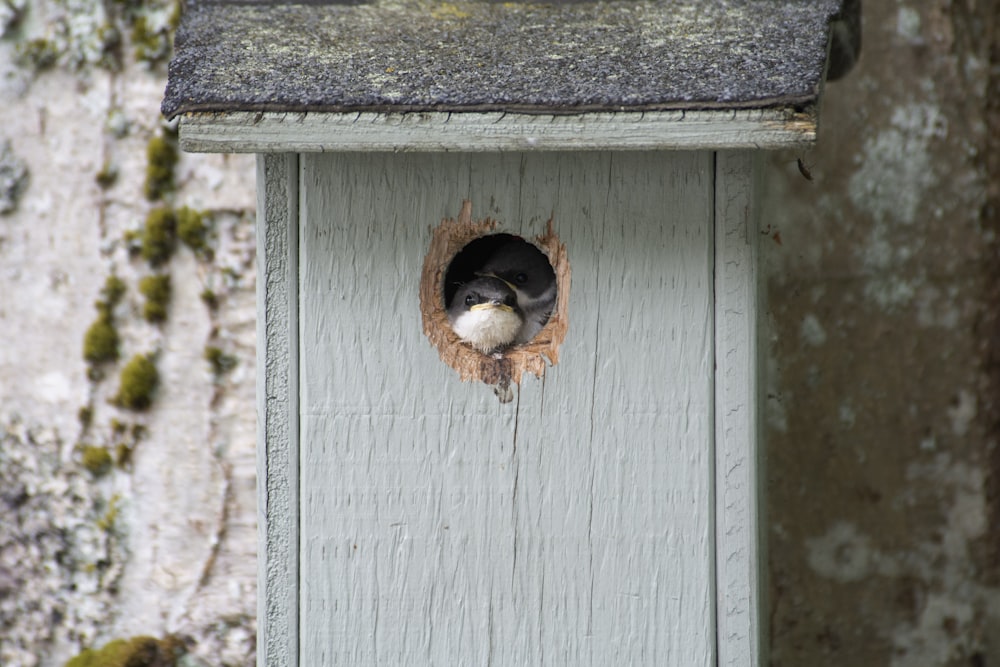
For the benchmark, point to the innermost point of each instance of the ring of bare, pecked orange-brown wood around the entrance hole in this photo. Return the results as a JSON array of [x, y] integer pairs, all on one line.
[[446, 241]]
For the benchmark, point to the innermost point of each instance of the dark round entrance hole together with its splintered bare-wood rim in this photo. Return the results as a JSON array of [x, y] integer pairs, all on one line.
[[460, 250]]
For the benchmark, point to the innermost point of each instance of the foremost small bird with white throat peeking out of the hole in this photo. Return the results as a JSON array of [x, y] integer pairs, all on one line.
[[484, 314]]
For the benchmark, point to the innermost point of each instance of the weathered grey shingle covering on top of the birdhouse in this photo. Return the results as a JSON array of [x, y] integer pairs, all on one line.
[[480, 56]]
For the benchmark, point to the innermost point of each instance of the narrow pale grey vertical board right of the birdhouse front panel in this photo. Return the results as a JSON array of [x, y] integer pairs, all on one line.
[[739, 461]]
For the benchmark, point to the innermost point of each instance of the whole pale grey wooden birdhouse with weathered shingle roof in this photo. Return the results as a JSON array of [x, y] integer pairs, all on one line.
[[585, 490]]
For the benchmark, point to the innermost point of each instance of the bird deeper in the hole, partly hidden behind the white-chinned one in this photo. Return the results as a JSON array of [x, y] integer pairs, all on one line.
[[528, 272]]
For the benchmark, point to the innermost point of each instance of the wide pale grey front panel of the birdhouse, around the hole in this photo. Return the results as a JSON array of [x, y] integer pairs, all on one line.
[[572, 526]]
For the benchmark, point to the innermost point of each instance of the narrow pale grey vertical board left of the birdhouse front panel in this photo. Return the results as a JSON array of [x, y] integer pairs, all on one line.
[[277, 411]]
